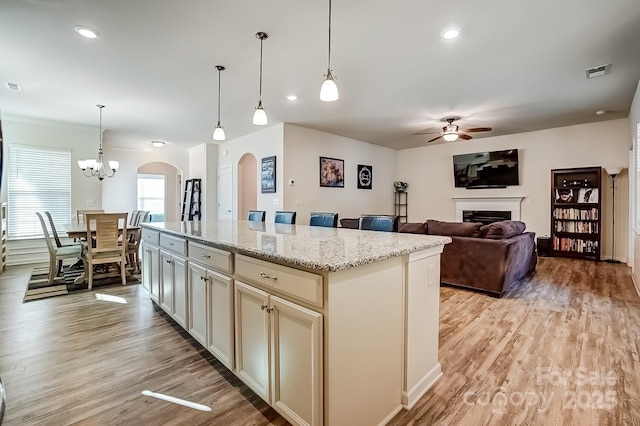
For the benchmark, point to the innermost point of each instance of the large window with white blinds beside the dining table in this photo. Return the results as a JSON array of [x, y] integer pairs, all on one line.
[[39, 179]]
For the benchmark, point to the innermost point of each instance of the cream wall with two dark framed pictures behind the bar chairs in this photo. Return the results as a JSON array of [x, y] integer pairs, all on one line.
[[302, 151]]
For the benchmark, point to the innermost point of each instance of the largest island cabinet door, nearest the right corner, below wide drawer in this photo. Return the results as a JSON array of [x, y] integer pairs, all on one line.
[[296, 362]]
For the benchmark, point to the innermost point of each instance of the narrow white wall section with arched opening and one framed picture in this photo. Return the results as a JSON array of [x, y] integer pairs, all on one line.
[[262, 143]]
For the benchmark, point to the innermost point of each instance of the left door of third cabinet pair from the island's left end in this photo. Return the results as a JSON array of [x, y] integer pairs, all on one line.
[[197, 306]]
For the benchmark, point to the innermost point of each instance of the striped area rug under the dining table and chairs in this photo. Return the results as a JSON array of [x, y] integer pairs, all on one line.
[[39, 287]]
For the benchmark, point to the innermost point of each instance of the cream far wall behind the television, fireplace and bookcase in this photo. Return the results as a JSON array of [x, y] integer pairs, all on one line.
[[429, 172]]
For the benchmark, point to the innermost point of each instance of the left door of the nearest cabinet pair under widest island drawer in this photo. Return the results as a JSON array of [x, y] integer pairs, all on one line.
[[252, 338]]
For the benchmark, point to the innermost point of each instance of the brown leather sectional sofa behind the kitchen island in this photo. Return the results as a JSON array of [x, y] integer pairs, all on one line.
[[490, 258]]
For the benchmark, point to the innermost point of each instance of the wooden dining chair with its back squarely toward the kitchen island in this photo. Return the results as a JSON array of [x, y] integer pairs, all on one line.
[[105, 248]]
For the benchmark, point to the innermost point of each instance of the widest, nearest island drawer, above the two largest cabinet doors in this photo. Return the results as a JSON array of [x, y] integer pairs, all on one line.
[[302, 285]]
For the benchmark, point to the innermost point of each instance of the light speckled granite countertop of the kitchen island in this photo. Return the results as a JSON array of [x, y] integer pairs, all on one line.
[[312, 247]]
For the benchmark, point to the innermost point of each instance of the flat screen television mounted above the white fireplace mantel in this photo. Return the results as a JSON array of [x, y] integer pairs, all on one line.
[[495, 169]]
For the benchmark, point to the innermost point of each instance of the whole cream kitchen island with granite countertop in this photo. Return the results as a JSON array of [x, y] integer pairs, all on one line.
[[328, 325]]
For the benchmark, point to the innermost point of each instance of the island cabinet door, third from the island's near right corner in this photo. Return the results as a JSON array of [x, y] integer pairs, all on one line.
[[220, 324]]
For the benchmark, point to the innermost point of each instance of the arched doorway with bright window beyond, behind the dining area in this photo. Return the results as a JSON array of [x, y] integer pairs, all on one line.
[[159, 190]]
